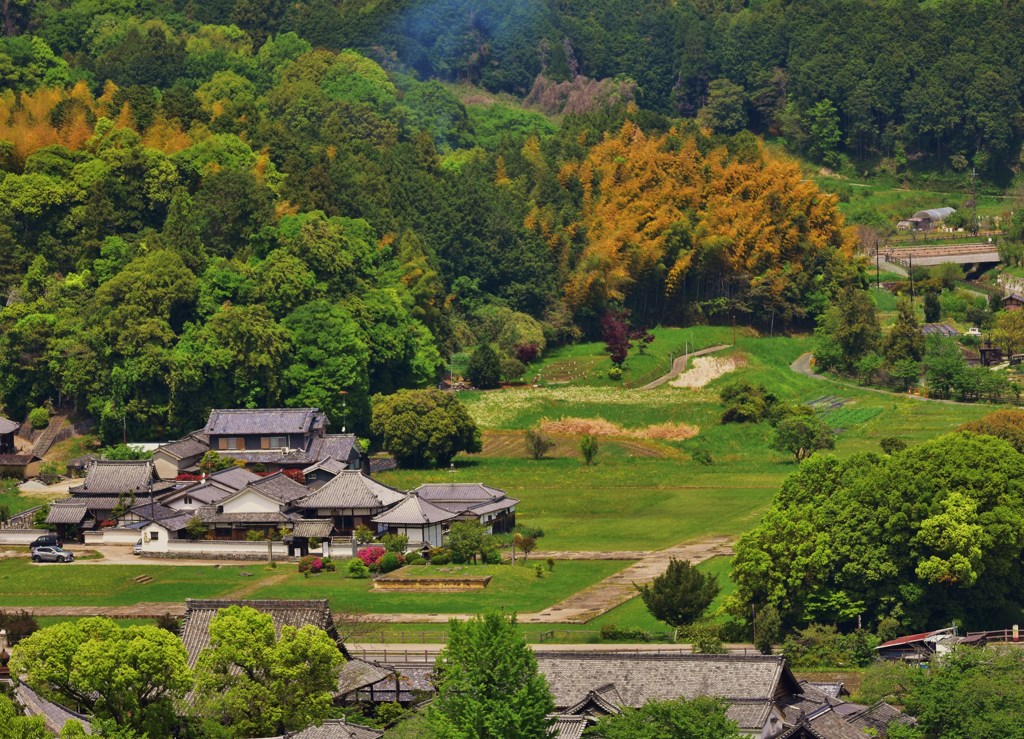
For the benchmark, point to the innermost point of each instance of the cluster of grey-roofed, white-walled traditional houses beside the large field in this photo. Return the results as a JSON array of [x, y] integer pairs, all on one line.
[[294, 484]]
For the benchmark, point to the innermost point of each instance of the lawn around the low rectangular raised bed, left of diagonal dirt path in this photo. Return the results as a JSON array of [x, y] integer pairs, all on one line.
[[511, 588]]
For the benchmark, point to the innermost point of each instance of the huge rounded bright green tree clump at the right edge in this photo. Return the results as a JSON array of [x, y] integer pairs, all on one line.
[[923, 536]]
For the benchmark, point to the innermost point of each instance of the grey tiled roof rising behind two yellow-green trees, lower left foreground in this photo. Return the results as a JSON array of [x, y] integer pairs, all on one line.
[[199, 614]]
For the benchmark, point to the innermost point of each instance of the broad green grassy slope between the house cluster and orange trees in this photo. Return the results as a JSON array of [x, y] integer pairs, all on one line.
[[625, 503]]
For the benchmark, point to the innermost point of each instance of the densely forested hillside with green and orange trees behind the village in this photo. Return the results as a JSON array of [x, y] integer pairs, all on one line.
[[258, 203]]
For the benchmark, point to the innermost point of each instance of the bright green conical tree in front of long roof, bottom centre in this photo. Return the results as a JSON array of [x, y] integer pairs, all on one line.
[[489, 685]]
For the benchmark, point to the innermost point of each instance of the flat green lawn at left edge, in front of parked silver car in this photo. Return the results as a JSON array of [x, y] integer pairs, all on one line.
[[23, 584]]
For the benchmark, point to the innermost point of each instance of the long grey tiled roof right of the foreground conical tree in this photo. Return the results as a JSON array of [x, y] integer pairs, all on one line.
[[750, 684]]
